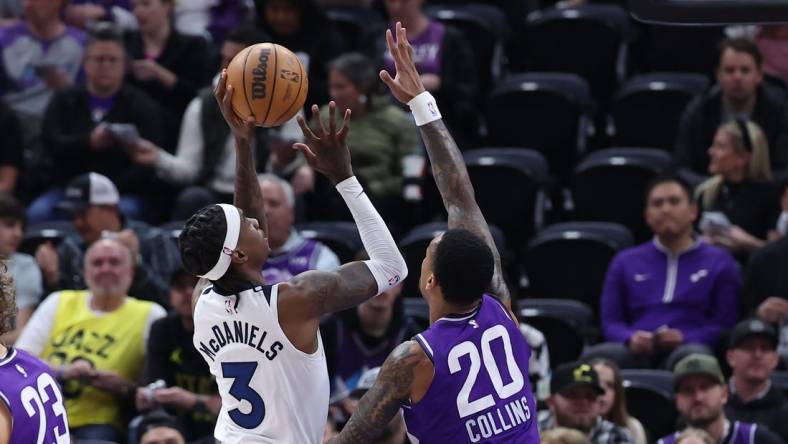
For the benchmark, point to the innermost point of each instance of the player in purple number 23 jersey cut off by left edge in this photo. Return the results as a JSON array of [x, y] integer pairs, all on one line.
[[31, 402]]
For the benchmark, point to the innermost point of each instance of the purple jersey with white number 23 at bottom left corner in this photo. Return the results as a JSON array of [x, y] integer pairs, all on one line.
[[34, 400]]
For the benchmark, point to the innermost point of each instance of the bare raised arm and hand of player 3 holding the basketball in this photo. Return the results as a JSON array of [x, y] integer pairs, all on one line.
[[248, 196]]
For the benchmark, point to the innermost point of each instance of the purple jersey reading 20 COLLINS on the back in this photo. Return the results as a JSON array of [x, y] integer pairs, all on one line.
[[480, 392]]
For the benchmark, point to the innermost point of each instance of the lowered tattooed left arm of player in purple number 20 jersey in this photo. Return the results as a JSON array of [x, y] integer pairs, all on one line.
[[382, 402]]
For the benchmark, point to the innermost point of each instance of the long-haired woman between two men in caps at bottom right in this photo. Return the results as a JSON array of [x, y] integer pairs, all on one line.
[[613, 403]]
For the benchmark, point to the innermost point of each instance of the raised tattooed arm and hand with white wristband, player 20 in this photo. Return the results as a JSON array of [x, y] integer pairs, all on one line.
[[448, 166]]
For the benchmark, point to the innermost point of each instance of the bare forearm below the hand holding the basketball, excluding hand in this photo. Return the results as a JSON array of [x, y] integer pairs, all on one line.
[[248, 196]]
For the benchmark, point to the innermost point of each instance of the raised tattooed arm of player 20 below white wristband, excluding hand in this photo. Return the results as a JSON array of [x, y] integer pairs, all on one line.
[[454, 184]]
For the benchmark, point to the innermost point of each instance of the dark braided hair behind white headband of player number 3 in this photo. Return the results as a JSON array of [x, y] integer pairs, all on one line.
[[202, 239]]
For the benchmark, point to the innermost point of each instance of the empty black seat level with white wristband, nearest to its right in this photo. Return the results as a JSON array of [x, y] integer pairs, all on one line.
[[548, 112]]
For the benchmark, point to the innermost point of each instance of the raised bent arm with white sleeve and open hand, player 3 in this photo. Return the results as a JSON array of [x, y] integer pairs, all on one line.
[[319, 292]]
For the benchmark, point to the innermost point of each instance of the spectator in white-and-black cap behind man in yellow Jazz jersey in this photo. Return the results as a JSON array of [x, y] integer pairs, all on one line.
[[92, 200]]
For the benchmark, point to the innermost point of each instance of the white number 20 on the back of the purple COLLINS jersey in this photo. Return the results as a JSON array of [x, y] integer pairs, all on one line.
[[465, 406]]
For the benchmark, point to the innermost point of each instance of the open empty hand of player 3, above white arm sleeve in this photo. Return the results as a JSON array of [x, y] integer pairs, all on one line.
[[326, 150]]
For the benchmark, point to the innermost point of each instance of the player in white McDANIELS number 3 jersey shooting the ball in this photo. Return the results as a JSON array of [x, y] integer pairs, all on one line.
[[262, 342]]
